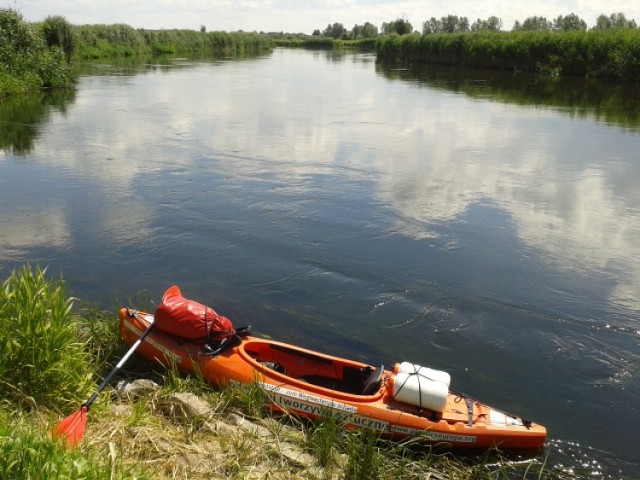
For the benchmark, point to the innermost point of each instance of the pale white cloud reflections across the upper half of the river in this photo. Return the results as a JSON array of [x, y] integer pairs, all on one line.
[[429, 155]]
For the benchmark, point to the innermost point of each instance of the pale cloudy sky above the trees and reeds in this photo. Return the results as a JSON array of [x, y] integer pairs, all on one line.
[[296, 16]]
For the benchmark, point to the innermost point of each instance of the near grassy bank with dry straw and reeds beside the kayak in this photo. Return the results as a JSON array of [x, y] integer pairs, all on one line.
[[53, 355]]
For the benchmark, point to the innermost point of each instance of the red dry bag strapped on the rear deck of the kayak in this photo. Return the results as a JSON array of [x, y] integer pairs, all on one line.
[[185, 318]]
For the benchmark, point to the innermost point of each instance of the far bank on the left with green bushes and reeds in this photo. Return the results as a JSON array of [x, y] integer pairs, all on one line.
[[38, 56]]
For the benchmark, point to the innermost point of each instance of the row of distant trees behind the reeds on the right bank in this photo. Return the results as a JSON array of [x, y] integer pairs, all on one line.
[[455, 24]]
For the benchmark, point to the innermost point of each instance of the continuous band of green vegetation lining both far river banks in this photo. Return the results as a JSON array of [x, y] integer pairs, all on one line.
[[38, 56]]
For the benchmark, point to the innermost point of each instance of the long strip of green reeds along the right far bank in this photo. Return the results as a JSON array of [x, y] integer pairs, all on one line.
[[613, 54]]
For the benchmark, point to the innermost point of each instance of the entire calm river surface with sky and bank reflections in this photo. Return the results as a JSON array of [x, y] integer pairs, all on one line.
[[482, 225]]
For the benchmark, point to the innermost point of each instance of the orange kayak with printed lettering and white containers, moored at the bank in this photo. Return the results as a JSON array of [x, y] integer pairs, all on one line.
[[398, 403]]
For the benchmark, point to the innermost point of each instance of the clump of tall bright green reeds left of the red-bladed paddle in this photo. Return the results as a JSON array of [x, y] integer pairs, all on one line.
[[43, 363]]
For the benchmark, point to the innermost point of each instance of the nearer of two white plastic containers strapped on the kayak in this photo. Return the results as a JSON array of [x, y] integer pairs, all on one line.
[[419, 391]]
